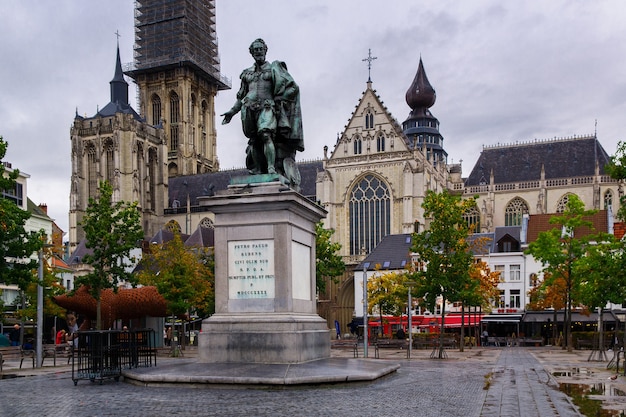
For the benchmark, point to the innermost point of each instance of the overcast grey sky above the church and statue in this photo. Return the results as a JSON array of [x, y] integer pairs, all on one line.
[[503, 71]]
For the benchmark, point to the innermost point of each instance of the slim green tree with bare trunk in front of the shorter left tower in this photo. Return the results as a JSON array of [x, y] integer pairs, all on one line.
[[112, 230]]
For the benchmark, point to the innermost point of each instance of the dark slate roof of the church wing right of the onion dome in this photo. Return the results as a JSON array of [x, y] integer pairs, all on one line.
[[561, 158]]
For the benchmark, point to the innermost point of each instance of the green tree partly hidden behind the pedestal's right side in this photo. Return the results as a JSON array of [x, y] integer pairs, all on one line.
[[328, 264]]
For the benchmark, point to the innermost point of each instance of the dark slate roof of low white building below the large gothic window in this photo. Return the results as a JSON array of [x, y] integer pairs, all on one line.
[[393, 252]]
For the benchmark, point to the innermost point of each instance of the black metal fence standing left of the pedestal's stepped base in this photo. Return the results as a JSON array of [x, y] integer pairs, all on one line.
[[101, 354]]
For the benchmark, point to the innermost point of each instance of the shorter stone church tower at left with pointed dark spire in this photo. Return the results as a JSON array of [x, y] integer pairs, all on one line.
[[117, 145]]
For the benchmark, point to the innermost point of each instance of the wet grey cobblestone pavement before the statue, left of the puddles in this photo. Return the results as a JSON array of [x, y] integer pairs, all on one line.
[[520, 384]]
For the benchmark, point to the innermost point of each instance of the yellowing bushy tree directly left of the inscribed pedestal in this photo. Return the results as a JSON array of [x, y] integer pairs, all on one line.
[[182, 275]]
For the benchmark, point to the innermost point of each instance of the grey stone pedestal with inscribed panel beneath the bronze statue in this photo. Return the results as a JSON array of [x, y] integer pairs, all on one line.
[[265, 308]]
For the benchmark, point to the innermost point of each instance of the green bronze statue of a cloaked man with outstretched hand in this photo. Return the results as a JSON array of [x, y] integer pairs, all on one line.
[[269, 101]]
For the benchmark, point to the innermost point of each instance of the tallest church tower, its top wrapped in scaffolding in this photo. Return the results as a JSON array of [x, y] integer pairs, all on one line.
[[177, 72]]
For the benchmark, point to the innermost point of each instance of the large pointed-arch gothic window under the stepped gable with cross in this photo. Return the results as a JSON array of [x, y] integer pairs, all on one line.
[[369, 214]]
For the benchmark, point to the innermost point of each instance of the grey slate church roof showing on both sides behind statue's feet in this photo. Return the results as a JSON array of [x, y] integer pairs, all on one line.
[[207, 184]]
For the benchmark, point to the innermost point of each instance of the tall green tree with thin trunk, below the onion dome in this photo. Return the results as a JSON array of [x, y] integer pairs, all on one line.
[[444, 256]]
